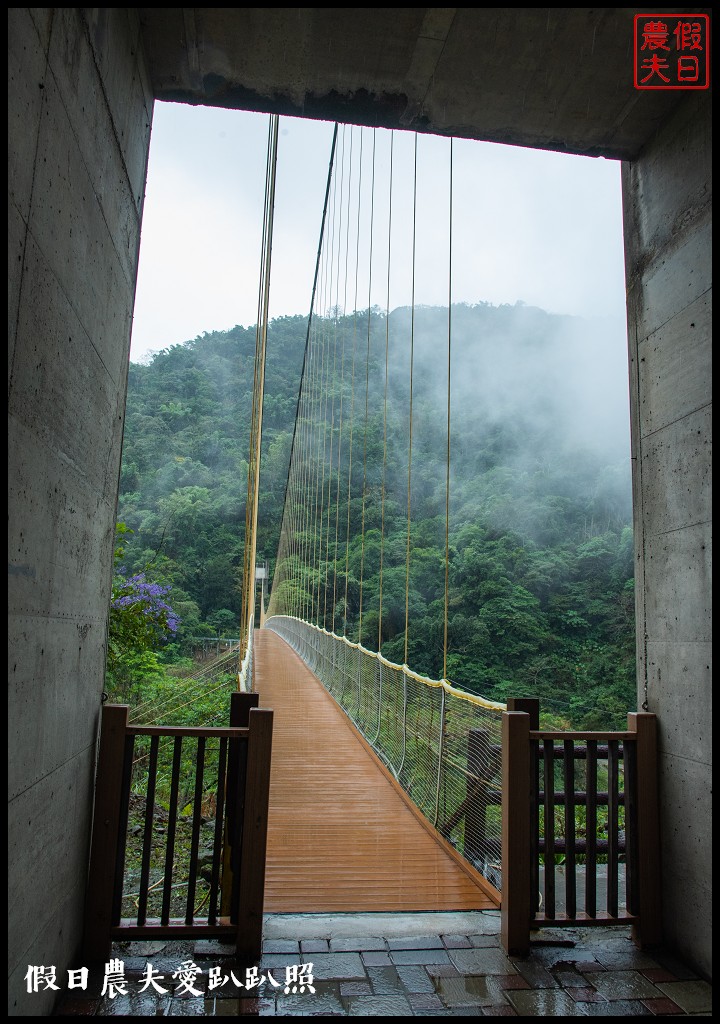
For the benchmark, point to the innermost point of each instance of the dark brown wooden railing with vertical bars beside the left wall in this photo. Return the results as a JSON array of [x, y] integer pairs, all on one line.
[[157, 790]]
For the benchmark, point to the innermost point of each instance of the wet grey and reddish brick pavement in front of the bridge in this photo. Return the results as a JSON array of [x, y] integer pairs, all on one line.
[[375, 965]]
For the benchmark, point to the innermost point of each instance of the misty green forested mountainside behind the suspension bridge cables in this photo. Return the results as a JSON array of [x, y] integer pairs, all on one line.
[[541, 553]]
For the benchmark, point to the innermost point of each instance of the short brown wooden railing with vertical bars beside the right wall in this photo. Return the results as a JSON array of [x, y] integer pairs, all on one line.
[[557, 787]]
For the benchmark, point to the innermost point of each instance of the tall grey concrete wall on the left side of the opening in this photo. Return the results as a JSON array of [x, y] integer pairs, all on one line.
[[80, 110]]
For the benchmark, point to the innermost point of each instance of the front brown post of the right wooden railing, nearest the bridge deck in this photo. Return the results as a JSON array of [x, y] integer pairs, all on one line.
[[516, 908]]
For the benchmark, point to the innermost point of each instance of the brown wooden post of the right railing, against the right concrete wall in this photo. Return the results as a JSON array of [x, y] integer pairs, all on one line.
[[650, 930]]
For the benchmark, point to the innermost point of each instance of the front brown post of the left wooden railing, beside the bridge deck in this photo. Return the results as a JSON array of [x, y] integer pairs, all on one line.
[[252, 873]]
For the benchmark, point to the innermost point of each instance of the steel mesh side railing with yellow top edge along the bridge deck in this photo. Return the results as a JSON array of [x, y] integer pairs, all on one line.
[[442, 745]]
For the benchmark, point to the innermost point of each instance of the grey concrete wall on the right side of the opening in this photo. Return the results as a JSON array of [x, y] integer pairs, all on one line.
[[668, 201]]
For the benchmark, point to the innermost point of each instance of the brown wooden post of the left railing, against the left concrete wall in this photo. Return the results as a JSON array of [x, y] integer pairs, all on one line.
[[104, 846]]
